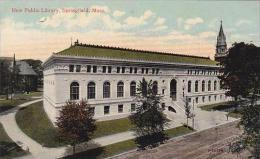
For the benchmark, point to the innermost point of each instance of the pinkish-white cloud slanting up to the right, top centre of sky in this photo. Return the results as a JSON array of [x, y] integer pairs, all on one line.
[[135, 21]]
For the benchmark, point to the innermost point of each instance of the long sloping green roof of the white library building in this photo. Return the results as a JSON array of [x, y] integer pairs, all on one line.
[[131, 54]]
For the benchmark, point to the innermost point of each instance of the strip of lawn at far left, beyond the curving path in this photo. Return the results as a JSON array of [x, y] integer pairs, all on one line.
[[17, 99]]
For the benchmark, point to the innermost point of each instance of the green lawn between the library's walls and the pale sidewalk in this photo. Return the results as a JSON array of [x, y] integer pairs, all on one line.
[[36, 124]]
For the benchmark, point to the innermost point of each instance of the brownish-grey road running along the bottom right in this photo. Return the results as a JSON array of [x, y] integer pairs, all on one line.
[[211, 143]]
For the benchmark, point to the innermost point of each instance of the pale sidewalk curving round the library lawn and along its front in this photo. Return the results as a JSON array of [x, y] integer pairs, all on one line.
[[37, 151]]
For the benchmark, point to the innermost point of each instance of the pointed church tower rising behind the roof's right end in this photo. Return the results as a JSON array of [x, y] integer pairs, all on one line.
[[221, 47]]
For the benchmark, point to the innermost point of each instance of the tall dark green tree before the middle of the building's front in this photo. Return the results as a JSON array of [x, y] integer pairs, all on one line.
[[148, 120]]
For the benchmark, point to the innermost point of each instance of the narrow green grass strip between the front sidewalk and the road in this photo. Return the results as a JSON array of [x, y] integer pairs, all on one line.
[[120, 147]]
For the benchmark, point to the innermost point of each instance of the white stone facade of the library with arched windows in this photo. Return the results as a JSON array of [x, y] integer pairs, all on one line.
[[58, 78]]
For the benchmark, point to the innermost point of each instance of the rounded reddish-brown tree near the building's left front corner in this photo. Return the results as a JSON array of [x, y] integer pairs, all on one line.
[[76, 123]]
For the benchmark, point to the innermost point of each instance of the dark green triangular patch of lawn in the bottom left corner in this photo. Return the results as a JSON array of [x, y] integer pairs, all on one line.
[[9, 149]]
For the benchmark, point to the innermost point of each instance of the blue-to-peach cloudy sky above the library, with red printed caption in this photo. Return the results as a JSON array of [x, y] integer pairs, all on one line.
[[36, 29]]
